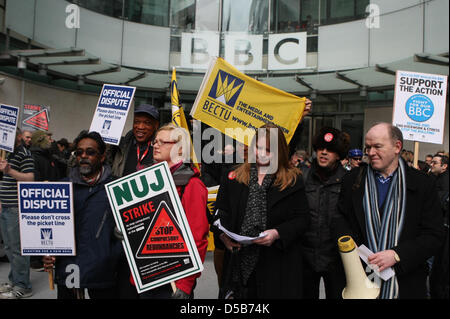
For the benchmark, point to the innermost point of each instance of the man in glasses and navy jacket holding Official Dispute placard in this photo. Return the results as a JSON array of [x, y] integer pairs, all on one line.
[[95, 265]]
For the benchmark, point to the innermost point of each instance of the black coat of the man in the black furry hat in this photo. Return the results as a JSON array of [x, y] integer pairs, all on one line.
[[320, 247]]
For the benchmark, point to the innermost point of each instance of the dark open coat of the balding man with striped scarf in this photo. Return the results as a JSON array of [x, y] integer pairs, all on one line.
[[421, 236]]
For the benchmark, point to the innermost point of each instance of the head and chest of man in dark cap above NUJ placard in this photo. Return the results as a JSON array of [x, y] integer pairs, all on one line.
[[135, 151]]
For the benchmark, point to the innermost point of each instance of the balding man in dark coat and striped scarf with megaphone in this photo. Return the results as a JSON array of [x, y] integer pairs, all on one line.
[[394, 211]]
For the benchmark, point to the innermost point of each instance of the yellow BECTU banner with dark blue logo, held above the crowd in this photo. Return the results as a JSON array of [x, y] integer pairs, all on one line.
[[237, 104]]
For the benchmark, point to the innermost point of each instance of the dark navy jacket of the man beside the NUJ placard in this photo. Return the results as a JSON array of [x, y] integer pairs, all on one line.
[[97, 250]]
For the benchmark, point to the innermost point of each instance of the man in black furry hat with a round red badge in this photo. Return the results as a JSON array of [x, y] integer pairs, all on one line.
[[322, 186]]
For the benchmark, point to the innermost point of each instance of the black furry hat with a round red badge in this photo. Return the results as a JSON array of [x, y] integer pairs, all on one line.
[[333, 140]]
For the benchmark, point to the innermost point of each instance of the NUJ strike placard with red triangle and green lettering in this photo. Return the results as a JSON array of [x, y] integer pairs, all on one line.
[[157, 239]]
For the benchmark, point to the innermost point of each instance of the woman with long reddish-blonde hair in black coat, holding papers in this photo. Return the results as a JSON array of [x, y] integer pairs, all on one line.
[[265, 198]]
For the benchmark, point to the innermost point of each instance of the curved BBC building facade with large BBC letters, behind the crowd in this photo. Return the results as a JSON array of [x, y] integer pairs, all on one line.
[[342, 54]]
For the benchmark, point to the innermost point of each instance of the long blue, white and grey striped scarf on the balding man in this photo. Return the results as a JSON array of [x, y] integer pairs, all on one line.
[[384, 232]]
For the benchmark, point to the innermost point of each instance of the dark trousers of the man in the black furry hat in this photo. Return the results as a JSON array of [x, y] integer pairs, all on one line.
[[334, 281]]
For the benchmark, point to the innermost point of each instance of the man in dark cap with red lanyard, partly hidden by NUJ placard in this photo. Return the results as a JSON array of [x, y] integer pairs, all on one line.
[[133, 154]]
